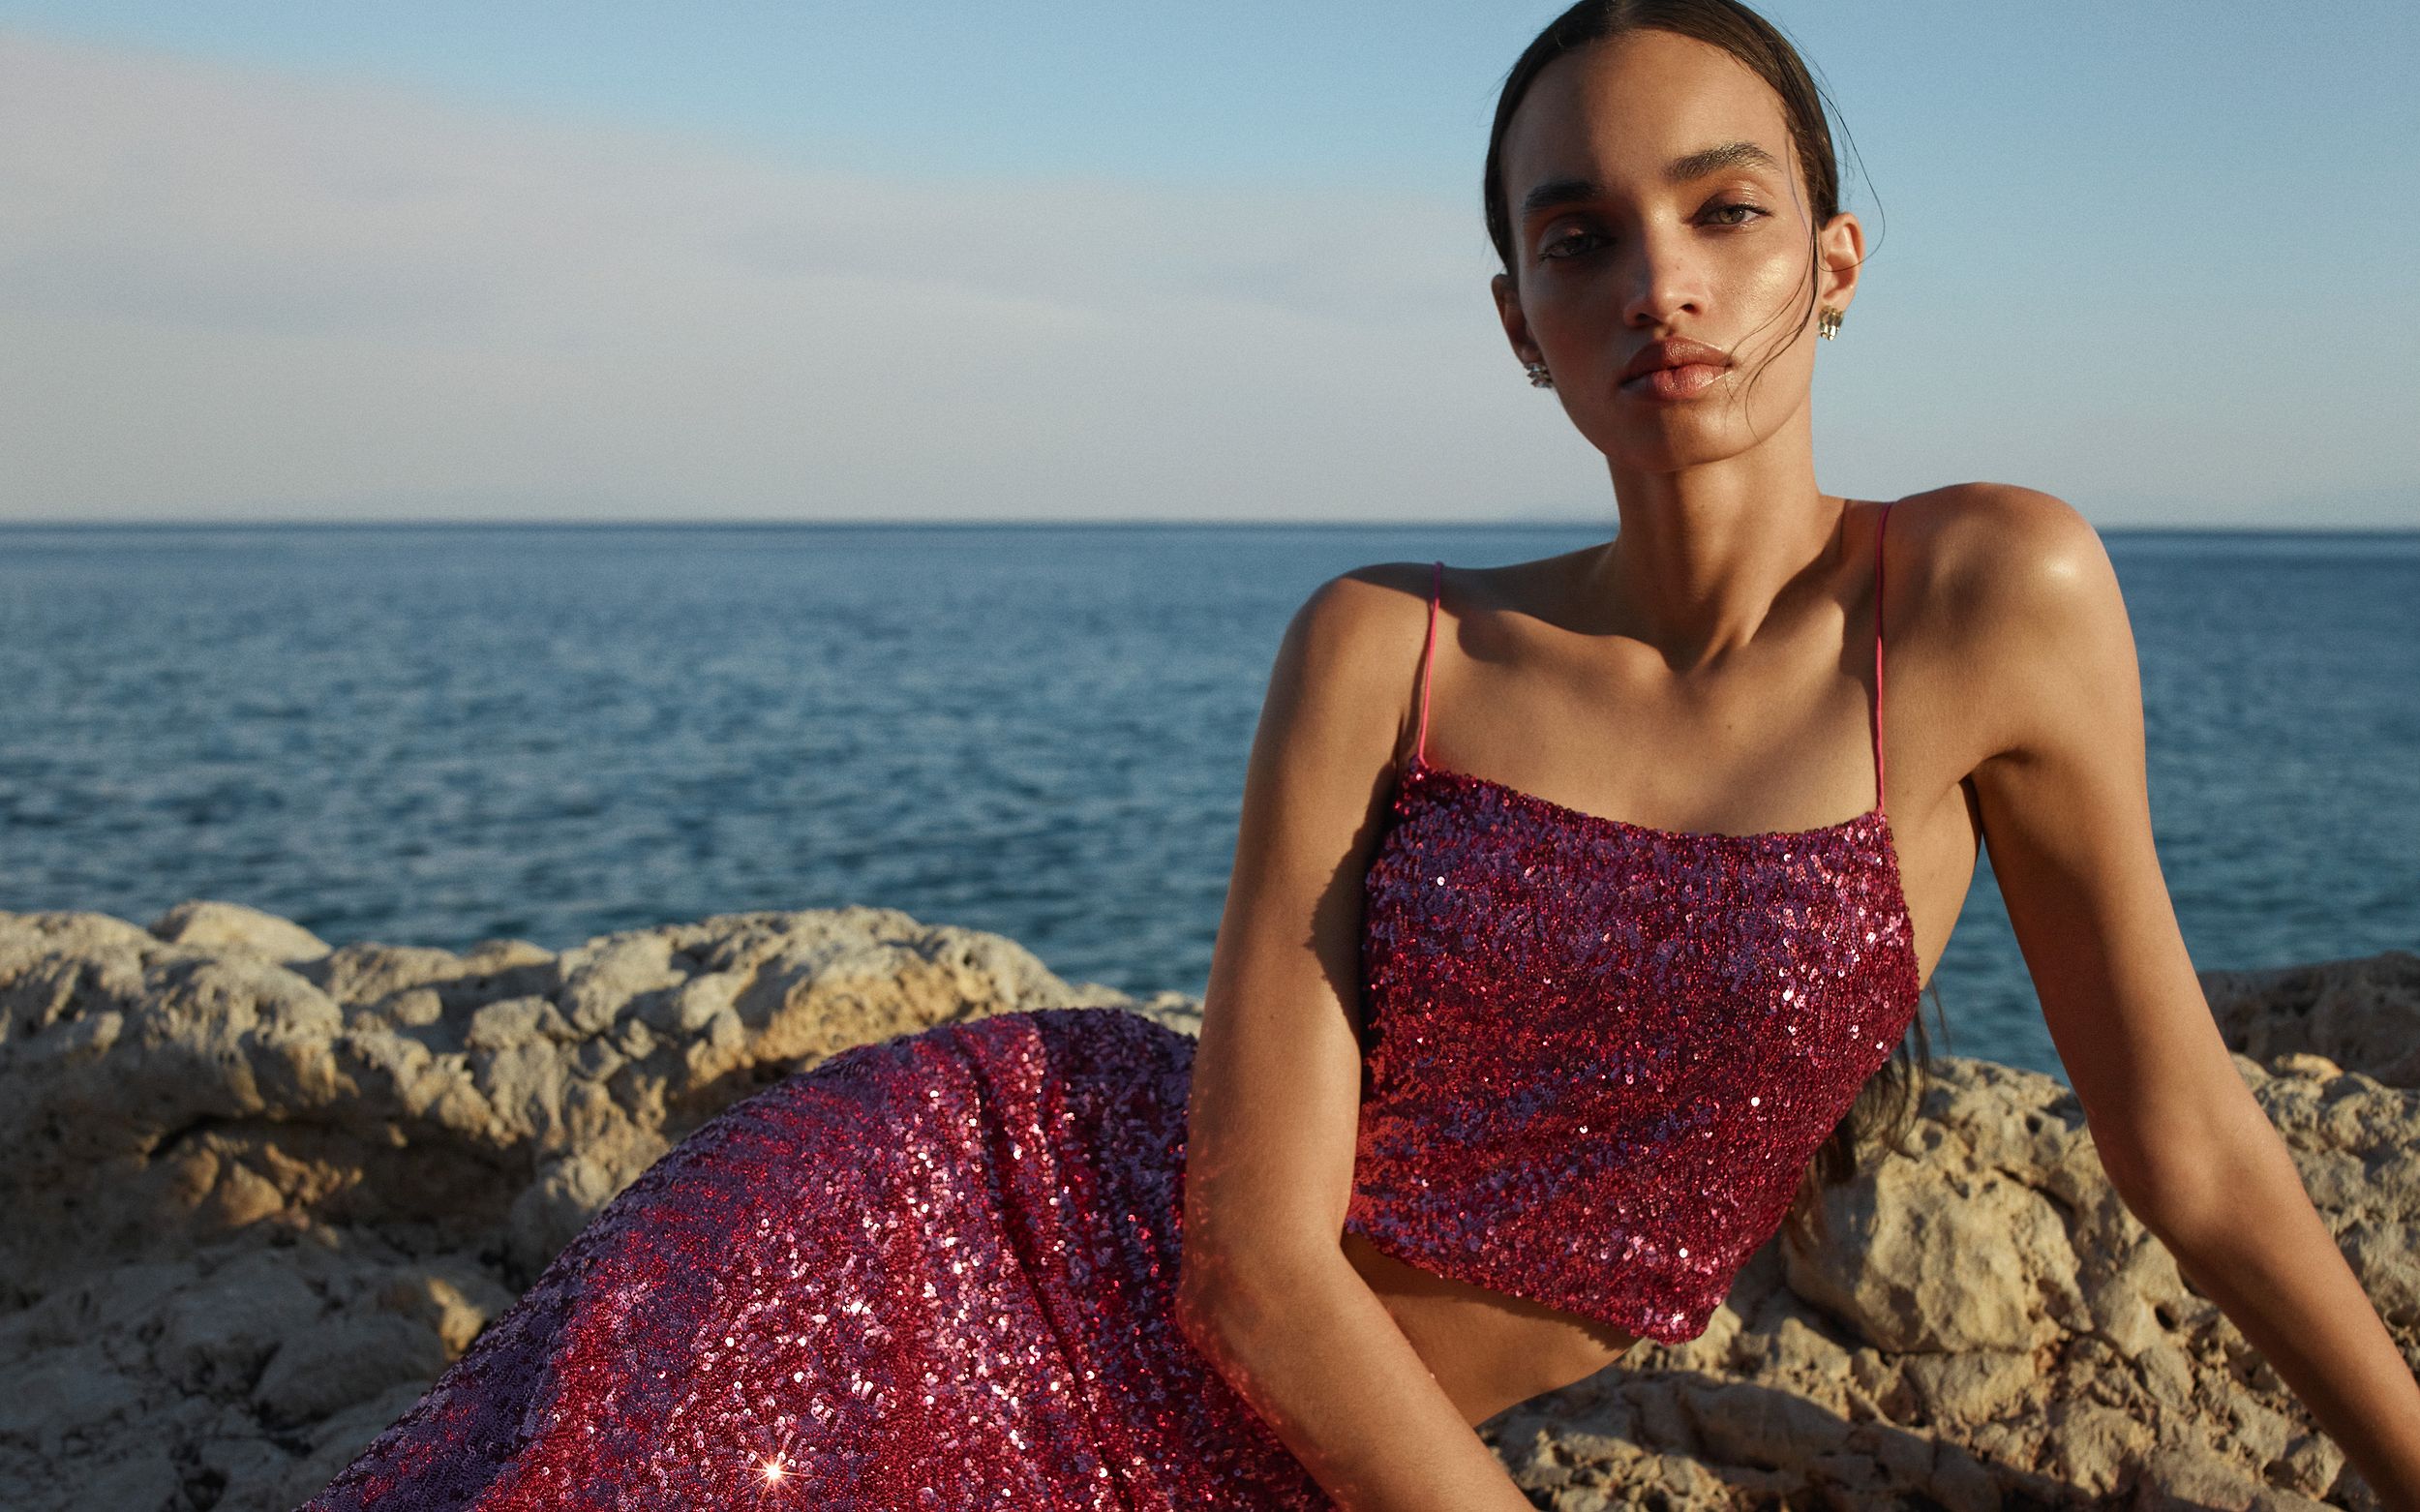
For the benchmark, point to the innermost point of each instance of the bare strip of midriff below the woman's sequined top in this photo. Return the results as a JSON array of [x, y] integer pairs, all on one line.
[[1485, 1349]]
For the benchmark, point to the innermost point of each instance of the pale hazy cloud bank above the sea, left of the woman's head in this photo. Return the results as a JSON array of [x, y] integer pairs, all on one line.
[[243, 294]]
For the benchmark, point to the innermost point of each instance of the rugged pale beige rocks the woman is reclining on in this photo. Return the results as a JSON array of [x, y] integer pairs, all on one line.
[[265, 1189]]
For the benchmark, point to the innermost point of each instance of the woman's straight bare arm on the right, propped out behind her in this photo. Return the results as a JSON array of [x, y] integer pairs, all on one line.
[[2068, 819]]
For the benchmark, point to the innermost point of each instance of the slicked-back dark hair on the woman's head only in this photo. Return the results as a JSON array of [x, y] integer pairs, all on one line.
[[1717, 23]]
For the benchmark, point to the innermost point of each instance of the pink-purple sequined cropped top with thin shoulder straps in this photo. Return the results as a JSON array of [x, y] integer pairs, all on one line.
[[1601, 1056]]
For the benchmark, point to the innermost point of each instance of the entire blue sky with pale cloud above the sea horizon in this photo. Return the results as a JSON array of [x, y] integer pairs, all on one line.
[[1127, 262]]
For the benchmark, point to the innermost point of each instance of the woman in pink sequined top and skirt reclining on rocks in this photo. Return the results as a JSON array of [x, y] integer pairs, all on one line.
[[1492, 1085]]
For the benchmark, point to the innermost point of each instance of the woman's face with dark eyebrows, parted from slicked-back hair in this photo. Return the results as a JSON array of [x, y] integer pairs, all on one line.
[[1654, 195]]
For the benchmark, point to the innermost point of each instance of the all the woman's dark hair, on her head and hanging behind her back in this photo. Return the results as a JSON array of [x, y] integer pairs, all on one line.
[[1889, 1100]]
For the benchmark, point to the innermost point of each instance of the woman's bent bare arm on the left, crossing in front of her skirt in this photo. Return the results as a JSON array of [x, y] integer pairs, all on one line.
[[1267, 1291]]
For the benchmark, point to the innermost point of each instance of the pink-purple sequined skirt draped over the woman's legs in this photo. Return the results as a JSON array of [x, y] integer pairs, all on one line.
[[928, 1274]]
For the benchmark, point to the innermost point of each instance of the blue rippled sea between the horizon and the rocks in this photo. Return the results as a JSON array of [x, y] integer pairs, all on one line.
[[446, 734]]
